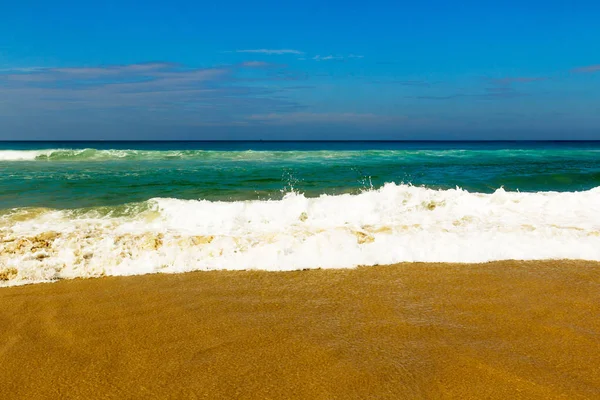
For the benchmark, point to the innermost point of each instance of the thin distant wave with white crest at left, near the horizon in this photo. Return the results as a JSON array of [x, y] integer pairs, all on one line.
[[91, 154]]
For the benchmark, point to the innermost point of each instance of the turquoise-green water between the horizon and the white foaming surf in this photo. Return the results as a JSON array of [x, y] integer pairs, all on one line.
[[91, 174]]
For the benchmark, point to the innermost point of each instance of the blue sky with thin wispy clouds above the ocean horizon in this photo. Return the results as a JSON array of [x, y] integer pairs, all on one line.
[[280, 70]]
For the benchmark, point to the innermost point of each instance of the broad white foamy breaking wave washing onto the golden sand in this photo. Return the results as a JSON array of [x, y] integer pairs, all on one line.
[[392, 224]]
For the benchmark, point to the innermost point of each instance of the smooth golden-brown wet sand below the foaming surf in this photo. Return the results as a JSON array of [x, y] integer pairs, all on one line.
[[498, 330]]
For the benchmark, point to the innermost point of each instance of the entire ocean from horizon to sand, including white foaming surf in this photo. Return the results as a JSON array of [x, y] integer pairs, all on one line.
[[88, 209]]
